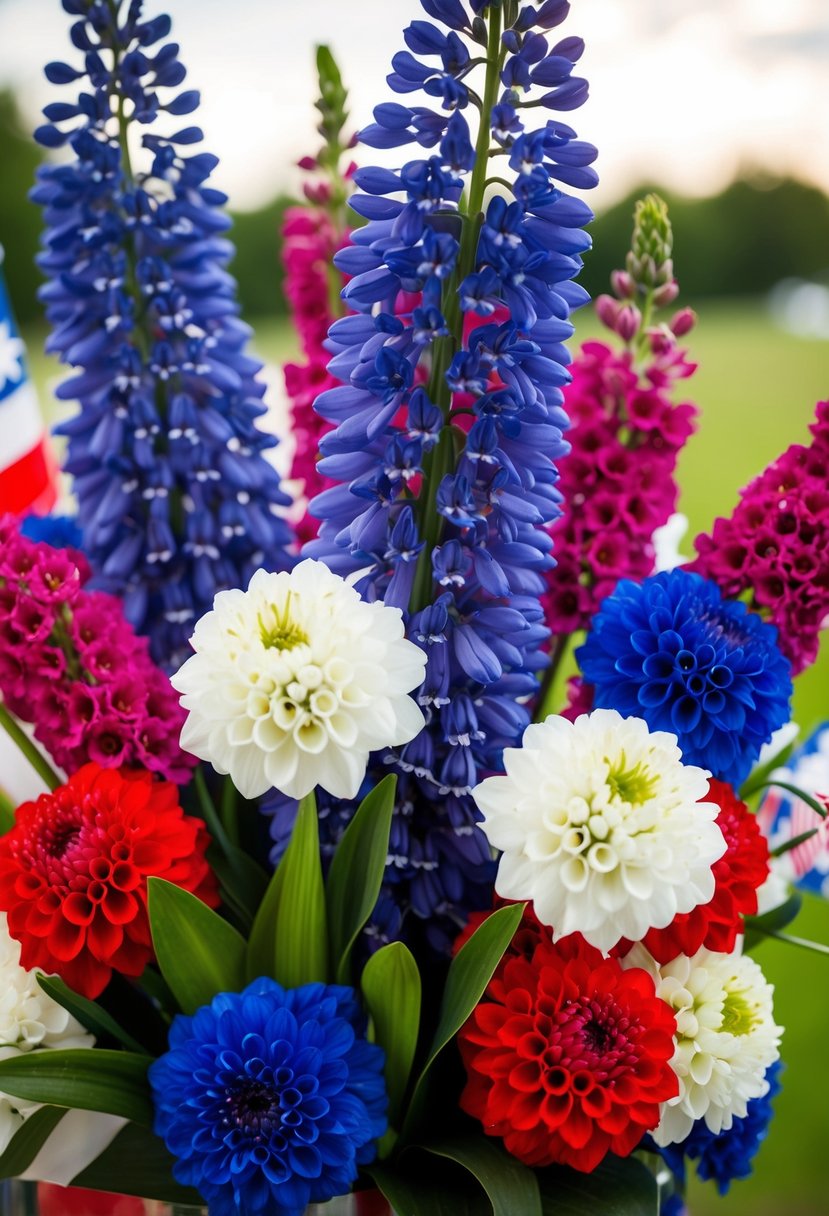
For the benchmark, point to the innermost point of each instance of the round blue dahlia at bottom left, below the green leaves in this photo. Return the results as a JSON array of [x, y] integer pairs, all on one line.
[[270, 1099]]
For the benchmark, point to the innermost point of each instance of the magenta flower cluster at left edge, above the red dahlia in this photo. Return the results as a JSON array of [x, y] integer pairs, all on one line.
[[72, 665]]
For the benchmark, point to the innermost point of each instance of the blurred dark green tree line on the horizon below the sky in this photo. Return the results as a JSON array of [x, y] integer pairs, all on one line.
[[740, 243]]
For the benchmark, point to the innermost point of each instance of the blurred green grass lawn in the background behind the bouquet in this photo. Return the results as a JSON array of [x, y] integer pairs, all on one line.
[[757, 389]]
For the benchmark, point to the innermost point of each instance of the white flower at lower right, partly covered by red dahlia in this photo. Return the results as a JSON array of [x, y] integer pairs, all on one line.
[[726, 1038]]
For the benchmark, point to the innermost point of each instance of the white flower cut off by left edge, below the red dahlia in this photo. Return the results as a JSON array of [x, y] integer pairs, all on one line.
[[30, 1021]]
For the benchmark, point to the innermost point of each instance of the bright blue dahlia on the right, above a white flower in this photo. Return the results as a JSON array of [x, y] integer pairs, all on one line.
[[674, 652]]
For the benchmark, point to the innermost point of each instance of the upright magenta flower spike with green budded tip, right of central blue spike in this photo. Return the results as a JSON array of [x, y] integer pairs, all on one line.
[[627, 434]]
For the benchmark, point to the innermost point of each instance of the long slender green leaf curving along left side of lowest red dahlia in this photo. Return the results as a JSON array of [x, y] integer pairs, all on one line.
[[469, 976]]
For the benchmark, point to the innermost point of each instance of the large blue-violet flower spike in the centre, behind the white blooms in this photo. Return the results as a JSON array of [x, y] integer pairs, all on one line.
[[449, 415]]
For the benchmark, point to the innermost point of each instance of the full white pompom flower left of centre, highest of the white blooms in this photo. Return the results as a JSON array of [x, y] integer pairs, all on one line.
[[296, 680]]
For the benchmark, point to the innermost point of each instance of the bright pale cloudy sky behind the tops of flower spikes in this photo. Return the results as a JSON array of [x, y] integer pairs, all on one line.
[[683, 93]]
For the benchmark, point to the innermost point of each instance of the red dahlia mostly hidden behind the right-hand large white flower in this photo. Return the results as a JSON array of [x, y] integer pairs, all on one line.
[[742, 870]]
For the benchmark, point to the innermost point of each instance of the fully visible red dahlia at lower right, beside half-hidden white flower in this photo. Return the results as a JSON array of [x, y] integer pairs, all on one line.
[[568, 1056]]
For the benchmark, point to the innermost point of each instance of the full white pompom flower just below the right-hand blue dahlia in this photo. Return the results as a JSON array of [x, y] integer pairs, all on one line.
[[602, 827]]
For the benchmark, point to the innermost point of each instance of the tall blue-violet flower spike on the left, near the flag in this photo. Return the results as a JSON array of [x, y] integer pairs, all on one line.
[[174, 497]]
